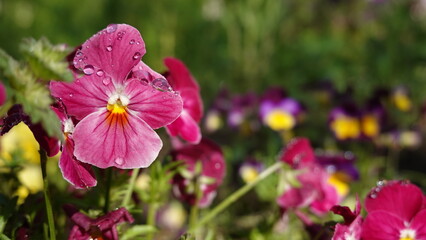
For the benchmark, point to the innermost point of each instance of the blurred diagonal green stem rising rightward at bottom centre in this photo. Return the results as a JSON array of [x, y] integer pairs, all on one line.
[[236, 195]]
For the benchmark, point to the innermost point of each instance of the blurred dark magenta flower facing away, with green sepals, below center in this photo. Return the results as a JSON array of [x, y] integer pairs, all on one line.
[[204, 166]]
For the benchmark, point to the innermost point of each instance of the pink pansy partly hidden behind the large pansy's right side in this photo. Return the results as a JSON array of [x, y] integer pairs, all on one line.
[[181, 80]]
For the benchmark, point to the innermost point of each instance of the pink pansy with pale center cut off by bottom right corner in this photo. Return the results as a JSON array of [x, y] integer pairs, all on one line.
[[395, 211]]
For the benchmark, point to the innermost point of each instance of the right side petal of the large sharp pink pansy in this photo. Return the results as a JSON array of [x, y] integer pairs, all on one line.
[[157, 108]]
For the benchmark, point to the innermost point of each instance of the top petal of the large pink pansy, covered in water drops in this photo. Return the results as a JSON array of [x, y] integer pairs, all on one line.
[[114, 50]]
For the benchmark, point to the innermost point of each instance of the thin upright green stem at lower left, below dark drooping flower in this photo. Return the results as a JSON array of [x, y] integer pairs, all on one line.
[[49, 211]]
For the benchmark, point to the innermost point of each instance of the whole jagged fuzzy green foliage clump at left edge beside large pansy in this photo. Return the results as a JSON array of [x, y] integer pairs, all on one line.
[[27, 81]]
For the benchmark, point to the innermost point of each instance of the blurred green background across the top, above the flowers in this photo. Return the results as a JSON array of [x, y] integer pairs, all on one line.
[[249, 44]]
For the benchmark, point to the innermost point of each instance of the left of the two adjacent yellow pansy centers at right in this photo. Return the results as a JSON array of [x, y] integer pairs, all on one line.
[[346, 127]]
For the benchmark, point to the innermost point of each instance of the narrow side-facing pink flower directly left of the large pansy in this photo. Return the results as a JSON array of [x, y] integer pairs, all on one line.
[[77, 173]]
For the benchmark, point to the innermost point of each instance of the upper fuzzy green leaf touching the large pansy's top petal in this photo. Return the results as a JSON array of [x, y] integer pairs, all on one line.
[[47, 61]]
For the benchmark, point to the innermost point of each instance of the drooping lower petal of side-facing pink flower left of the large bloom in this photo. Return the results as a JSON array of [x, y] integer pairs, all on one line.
[[75, 172]]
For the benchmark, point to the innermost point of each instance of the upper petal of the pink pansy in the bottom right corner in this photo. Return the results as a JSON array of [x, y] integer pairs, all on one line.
[[398, 197]]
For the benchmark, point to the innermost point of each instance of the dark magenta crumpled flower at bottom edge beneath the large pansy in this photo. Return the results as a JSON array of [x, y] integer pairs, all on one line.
[[104, 227]]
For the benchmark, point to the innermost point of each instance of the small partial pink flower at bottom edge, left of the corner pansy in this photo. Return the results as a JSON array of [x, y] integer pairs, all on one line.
[[351, 228]]
